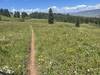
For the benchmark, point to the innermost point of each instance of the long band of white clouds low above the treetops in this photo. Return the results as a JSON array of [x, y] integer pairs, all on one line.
[[65, 9]]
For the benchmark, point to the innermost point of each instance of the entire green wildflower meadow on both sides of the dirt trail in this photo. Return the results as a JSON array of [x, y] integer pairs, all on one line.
[[61, 48]]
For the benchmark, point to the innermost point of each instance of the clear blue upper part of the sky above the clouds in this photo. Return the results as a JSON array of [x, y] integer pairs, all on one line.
[[44, 3]]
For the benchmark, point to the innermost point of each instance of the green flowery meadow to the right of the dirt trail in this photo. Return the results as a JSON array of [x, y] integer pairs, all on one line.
[[63, 49]]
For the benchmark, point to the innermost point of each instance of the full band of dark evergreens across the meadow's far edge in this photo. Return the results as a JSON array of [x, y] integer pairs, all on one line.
[[56, 16]]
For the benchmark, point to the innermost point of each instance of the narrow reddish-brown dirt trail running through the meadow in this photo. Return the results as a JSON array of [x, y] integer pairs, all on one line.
[[31, 64]]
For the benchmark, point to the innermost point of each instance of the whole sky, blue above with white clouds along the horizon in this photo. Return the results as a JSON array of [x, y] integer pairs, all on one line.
[[61, 6]]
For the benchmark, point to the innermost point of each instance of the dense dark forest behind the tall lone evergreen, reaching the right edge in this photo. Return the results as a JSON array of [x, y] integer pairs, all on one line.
[[66, 18]]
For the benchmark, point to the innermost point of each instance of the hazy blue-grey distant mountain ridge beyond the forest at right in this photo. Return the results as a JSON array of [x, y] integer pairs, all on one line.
[[88, 13]]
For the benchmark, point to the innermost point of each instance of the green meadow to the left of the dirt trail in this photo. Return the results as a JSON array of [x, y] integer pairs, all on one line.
[[14, 42]]
